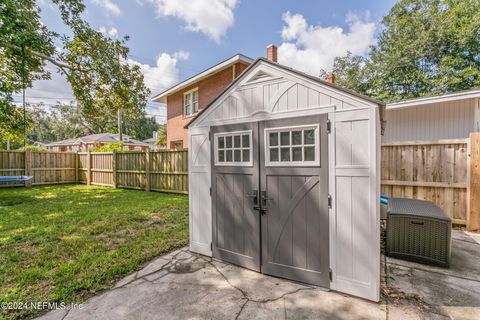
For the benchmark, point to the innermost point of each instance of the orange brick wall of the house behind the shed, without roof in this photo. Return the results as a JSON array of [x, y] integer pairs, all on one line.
[[208, 89]]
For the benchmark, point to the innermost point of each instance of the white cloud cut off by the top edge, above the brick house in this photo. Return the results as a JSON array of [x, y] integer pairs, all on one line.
[[211, 17]]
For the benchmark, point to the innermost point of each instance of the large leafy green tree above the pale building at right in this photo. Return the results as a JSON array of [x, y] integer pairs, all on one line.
[[426, 47]]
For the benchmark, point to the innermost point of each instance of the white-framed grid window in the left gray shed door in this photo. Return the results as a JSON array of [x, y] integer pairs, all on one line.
[[233, 149]]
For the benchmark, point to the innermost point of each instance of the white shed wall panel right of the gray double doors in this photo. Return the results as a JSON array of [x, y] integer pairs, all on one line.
[[355, 224]]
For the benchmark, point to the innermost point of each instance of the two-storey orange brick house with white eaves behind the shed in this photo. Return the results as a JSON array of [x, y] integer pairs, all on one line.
[[187, 98]]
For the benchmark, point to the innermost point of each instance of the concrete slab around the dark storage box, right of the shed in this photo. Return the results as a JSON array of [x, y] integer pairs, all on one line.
[[452, 292]]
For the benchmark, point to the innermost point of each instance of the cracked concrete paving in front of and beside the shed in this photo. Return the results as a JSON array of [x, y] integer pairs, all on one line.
[[182, 285]]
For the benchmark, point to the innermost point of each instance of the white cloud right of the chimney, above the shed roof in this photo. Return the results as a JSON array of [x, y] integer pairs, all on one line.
[[311, 48]]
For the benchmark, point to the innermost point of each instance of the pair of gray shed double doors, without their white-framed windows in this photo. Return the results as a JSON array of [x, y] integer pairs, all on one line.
[[289, 236]]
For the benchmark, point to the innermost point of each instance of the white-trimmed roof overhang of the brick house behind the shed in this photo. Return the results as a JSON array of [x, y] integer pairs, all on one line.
[[162, 97]]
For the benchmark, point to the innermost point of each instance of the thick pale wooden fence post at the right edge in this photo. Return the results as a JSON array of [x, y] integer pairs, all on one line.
[[473, 215]]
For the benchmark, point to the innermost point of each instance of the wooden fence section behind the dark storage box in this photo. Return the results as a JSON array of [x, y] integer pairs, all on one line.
[[438, 171]]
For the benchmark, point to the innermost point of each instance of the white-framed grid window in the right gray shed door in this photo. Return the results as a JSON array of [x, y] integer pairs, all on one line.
[[292, 146]]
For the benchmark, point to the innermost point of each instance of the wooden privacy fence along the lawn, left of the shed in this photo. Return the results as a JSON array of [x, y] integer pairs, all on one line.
[[165, 171]]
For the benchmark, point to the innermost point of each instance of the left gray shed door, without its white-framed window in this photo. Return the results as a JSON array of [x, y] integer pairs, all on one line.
[[236, 225]]
